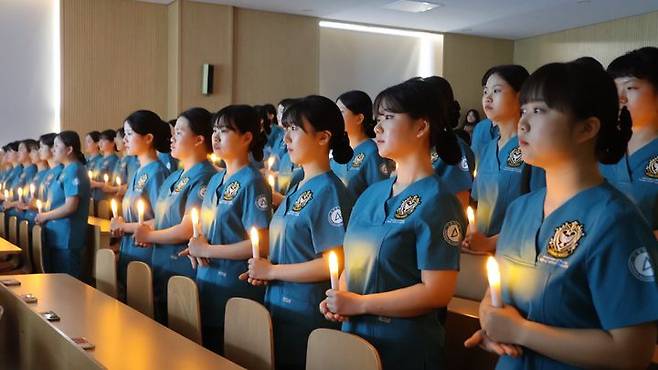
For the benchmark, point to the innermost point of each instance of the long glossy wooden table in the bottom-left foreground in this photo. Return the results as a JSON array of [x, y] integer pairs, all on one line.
[[124, 338]]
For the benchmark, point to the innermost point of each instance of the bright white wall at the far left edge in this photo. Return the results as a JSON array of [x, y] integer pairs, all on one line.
[[27, 69]]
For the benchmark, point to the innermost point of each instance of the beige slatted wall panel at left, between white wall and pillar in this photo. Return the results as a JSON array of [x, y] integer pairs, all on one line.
[[114, 56]]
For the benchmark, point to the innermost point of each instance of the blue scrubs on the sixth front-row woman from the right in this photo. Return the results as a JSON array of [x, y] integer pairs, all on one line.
[[144, 184]]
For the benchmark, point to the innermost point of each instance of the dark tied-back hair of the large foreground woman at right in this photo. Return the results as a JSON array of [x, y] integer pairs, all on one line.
[[583, 91]]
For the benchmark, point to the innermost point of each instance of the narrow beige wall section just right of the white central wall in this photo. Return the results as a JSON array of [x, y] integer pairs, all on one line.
[[466, 58]]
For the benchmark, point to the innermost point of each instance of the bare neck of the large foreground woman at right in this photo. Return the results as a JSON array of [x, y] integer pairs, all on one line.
[[568, 179]]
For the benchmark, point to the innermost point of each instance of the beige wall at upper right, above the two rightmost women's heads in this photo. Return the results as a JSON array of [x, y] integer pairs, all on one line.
[[603, 41]]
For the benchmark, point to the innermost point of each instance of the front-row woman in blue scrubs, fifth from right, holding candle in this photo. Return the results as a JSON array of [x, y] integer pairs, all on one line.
[[171, 229]]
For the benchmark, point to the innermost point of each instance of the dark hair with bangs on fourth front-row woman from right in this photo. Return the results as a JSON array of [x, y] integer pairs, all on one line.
[[243, 119]]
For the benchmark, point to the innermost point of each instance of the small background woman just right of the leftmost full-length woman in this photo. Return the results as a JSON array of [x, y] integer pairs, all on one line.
[[104, 166]]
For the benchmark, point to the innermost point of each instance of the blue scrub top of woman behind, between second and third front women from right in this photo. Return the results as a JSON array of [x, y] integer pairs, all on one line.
[[364, 169]]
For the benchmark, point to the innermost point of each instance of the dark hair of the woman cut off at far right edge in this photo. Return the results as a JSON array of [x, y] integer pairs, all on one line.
[[640, 63]]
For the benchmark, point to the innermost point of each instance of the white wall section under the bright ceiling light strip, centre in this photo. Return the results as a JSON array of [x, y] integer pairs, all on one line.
[[371, 62]]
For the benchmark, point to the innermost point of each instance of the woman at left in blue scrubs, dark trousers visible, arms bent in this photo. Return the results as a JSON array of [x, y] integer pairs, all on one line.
[[66, 208]]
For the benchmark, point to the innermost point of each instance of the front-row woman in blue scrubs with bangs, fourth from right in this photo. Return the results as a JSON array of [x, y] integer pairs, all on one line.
[[238, 199]]
